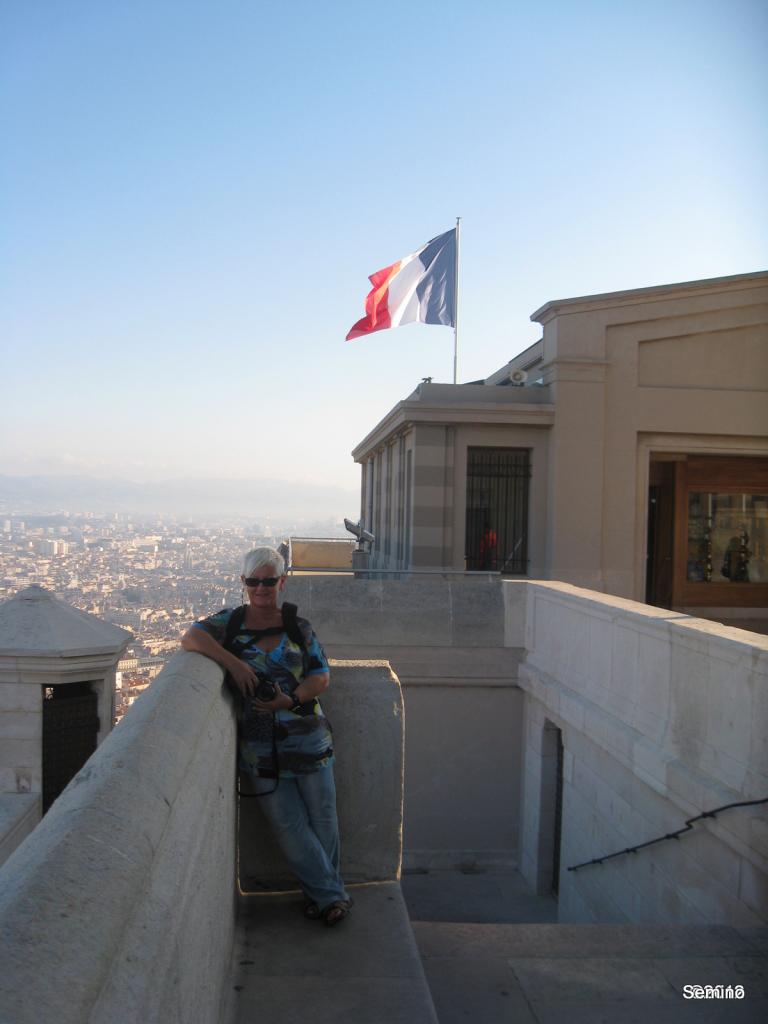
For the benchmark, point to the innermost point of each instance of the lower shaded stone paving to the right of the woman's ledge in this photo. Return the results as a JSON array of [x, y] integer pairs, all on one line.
[[493, 955]]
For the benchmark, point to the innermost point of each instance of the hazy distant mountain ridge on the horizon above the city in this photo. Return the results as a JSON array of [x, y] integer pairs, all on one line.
[[260, 499]]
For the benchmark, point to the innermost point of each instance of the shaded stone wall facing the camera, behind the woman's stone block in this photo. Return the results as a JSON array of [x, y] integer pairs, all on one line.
[[446, 642]]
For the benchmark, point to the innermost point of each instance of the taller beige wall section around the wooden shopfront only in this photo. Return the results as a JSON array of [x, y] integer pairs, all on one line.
[[607, 367]]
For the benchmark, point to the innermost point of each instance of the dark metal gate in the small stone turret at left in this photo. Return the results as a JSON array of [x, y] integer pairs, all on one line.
[[70, 734]]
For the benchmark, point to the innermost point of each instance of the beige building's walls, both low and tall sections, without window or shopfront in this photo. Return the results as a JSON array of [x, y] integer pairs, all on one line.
[[687, 363]]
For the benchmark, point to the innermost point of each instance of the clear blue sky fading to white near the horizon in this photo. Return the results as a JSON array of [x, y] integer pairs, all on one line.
[[193, 196]]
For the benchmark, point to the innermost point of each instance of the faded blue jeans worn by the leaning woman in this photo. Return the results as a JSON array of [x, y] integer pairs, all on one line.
[[303, 815]]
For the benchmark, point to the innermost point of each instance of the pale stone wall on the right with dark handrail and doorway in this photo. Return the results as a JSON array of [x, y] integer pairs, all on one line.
[[661, 717]]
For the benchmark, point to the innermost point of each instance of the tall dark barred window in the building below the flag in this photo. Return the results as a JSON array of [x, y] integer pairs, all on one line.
[[497, 536]]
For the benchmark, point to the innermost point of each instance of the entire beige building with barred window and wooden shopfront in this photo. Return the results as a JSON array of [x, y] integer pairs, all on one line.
[[627, 452]]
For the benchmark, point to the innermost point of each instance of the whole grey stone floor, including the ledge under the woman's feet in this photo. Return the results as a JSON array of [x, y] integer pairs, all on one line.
[[486, 951]]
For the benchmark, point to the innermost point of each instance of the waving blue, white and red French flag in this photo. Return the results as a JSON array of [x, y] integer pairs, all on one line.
[[420, 289]]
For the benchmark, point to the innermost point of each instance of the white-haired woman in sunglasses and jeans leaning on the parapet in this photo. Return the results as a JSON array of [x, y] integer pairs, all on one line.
[[285, 744]]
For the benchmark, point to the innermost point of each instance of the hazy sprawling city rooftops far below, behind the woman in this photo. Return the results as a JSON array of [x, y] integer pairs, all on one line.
[[152, 576]]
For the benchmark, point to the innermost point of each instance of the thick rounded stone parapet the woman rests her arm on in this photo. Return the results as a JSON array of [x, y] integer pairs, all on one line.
[[120, 907]]
